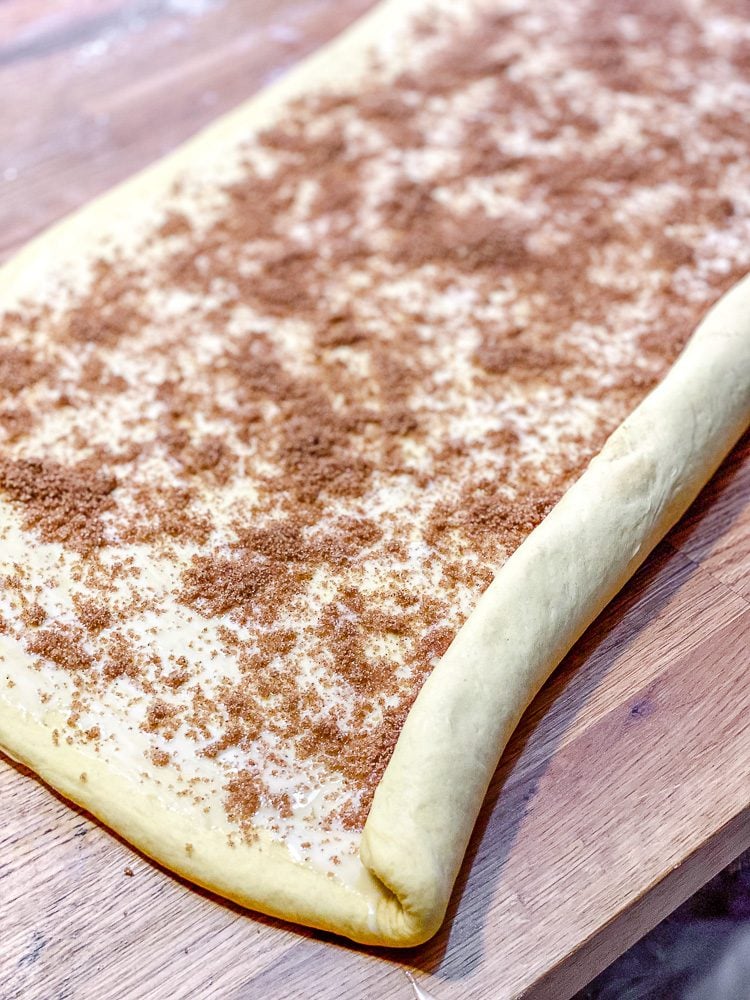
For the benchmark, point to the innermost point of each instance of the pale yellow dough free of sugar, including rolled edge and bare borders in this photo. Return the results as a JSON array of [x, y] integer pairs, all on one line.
[[544, 597]]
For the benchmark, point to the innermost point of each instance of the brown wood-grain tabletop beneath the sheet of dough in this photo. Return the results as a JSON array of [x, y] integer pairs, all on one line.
[[628, 783]]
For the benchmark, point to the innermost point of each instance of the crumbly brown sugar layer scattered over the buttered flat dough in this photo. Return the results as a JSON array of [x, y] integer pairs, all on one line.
[[418, 312]]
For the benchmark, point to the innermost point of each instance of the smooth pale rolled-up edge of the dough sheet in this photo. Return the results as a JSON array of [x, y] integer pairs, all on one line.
[[543, 598]]
